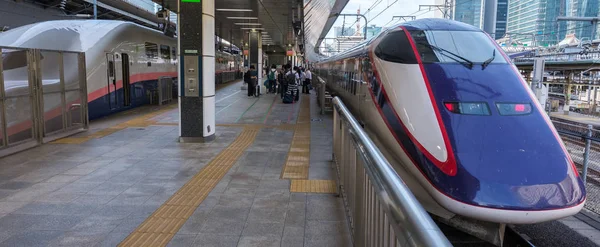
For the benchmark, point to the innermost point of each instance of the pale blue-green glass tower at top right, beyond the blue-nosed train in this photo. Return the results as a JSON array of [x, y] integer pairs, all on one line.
[[536, 18]]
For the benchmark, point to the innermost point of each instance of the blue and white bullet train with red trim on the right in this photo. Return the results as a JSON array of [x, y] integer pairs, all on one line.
[[459, 123]]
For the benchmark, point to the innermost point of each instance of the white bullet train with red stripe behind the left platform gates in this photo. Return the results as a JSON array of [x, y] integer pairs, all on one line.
[[123, 60]]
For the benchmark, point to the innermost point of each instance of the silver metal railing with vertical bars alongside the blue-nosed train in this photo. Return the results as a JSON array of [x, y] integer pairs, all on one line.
[[383, 204]]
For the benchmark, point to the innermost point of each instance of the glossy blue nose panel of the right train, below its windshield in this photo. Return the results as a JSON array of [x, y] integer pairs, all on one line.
[[509, 157]]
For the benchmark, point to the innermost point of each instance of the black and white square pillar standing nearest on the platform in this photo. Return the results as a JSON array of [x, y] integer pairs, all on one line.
[[196, 35]]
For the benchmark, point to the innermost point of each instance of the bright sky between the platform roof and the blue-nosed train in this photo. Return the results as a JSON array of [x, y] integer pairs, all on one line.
[[382, 11]]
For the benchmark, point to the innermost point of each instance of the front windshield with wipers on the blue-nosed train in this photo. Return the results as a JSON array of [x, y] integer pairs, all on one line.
[[437, 46]]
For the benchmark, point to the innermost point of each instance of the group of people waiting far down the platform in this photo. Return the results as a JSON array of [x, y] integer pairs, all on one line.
[[284, 81]]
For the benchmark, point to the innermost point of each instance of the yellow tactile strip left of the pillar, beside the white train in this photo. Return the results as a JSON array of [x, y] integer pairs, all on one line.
[[142, 121]]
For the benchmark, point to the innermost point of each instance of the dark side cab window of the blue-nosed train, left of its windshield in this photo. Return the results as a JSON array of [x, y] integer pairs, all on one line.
[[396, 48]]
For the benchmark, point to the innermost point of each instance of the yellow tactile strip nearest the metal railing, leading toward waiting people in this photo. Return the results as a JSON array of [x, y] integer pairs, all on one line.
[[298, 160]]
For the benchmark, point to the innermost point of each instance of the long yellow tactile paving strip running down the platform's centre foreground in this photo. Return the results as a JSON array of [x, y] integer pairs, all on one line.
[[163, 224]]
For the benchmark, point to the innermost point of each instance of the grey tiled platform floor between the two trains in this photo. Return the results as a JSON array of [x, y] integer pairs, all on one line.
[[114, 182]]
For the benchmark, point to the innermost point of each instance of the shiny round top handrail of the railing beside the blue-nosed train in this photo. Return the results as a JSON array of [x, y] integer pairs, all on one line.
[[405, 214]]
